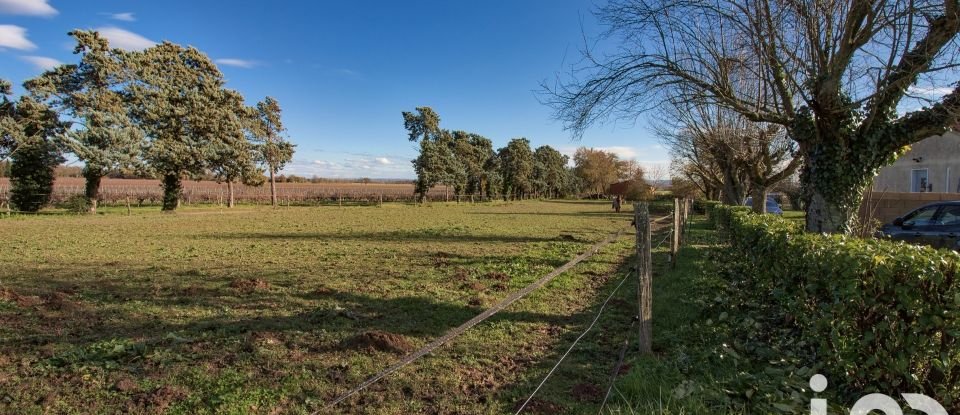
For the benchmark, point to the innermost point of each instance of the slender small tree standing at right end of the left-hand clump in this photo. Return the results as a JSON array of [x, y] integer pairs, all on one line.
[[274, 151]]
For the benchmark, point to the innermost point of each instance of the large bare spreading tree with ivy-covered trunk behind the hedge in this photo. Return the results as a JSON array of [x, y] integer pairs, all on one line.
[[834, 76]]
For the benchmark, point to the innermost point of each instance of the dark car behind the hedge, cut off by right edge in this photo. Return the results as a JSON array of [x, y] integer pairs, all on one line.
[[936, 225]]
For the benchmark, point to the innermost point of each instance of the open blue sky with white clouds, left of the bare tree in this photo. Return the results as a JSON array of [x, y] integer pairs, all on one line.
[[344, 71]]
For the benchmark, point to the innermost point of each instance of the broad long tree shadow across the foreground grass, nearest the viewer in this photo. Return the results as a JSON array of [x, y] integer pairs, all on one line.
[[71, 316]]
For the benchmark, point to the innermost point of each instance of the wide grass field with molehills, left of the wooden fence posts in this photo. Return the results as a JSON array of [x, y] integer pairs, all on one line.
[[277, 311]]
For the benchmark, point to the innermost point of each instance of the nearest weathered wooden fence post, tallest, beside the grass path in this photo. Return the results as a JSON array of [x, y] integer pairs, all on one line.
[[641, 217]]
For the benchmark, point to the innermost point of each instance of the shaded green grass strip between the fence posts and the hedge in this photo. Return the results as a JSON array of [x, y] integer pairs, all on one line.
[[688, 348]]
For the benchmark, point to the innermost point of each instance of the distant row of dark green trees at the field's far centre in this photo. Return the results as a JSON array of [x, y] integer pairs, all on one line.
[[467, 163]]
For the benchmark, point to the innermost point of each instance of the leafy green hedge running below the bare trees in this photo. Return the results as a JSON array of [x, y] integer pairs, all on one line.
[[872, 315]]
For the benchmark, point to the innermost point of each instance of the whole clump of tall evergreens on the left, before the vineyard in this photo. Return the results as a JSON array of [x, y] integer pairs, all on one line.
[[161, 112]]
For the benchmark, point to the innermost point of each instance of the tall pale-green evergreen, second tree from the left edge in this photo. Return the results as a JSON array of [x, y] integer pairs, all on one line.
[[89, 94]]
